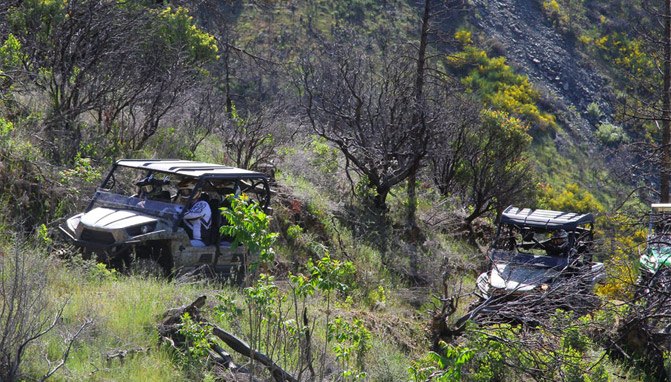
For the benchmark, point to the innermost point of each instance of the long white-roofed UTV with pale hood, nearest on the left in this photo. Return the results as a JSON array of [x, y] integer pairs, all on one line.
[[134, 219]]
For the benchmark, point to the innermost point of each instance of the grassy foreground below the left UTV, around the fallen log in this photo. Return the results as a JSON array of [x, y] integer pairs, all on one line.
[[118, 317]]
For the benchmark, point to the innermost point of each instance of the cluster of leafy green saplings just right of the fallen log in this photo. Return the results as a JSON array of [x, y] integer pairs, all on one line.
[[281, 320]]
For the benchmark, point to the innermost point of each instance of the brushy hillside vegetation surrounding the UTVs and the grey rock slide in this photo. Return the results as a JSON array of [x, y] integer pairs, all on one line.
[[394, 149]]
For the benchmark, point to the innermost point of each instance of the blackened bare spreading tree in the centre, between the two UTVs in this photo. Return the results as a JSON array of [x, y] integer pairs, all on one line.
[[367, 108]]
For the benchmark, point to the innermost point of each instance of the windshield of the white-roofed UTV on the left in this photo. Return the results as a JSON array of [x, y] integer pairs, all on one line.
[[165, 210]]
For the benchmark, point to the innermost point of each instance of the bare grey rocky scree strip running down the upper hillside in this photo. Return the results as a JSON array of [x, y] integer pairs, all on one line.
[[548, 58]]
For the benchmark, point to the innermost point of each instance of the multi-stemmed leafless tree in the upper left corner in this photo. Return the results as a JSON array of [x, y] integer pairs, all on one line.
[[65, 57]]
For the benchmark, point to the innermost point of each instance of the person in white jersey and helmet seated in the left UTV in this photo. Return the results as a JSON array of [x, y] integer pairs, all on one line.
[[198, 218]]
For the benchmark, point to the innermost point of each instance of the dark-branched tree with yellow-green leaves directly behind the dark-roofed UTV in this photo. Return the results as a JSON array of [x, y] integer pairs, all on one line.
[[481, 157]]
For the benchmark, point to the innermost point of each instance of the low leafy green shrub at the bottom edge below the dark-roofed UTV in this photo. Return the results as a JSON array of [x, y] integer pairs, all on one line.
[[560, 351]]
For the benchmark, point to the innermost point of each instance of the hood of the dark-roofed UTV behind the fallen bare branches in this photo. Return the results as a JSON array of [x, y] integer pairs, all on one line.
[[519, 278]]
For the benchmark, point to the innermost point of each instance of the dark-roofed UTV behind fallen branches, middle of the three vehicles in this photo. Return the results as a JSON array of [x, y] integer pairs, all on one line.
[[535, 249]]
